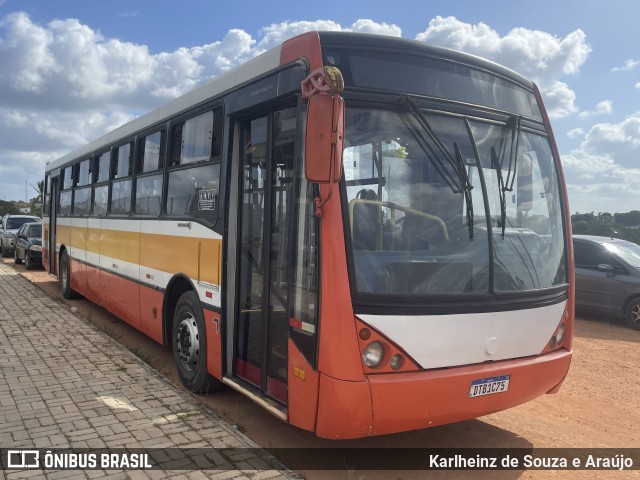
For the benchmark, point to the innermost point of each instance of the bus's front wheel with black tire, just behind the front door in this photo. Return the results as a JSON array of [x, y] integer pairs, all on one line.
[[189, 345]]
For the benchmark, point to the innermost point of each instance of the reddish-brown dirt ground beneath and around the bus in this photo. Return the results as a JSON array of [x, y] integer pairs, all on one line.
[[597, 407]]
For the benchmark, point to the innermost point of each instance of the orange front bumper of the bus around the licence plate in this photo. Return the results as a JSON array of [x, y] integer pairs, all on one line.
[[397, 402]]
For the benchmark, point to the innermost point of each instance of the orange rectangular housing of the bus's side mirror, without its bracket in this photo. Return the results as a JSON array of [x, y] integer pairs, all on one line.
[[324, 138]]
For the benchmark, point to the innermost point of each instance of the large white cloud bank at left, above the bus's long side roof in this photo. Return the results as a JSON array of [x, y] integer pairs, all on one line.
[[63, 84]]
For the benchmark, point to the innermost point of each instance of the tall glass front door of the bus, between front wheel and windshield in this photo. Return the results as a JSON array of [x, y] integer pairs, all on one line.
[[267, 145]]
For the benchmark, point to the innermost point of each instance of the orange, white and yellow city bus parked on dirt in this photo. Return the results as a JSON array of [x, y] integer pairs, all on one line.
[[364, 234]]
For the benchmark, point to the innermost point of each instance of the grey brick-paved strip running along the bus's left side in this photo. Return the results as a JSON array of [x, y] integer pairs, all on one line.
[[64, 384]]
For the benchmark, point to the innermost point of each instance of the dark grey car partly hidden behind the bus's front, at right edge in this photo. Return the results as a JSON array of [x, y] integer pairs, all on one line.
[[608, 276]]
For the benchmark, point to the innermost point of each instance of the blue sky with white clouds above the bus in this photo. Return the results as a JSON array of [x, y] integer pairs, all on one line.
[[72, 70]]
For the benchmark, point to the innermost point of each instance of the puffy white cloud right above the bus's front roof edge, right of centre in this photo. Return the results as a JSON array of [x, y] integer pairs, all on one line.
[[537, 55]]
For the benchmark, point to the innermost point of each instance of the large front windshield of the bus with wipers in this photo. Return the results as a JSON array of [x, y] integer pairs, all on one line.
[[446, 205]]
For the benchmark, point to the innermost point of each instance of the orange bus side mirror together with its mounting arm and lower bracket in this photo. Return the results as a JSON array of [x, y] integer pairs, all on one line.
[[324, 129]]
